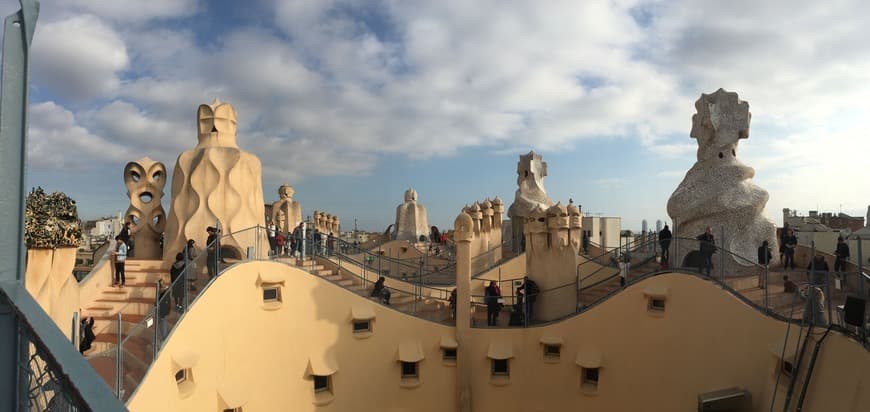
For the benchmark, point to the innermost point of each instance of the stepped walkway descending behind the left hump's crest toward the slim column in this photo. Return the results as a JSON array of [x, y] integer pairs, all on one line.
[[423, 307]]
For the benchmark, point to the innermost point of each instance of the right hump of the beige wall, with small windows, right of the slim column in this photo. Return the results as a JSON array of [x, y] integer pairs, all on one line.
[[706, 340]]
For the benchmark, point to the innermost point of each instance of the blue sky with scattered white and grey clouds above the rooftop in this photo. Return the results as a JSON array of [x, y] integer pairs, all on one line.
[[353, 102]]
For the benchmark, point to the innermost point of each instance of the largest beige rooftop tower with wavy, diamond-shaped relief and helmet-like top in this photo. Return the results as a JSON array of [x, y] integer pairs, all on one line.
[[216, 182]]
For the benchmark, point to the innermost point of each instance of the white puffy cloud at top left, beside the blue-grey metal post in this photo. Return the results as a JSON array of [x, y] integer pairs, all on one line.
[[78, 58]]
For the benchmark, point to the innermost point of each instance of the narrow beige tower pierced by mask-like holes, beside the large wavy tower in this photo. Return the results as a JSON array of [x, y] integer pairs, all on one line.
[[145, 180]]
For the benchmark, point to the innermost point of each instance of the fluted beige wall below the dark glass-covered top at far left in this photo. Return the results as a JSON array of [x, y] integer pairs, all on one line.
[[49, 279]]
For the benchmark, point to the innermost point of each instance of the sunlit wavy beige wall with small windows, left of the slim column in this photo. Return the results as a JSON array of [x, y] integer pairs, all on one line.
[[263, 354]]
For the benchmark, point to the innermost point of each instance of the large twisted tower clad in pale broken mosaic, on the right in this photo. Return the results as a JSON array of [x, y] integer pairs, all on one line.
[[718, 191]]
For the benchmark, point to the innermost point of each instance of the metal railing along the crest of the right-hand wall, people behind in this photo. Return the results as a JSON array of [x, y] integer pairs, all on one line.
[[814, 296]]
